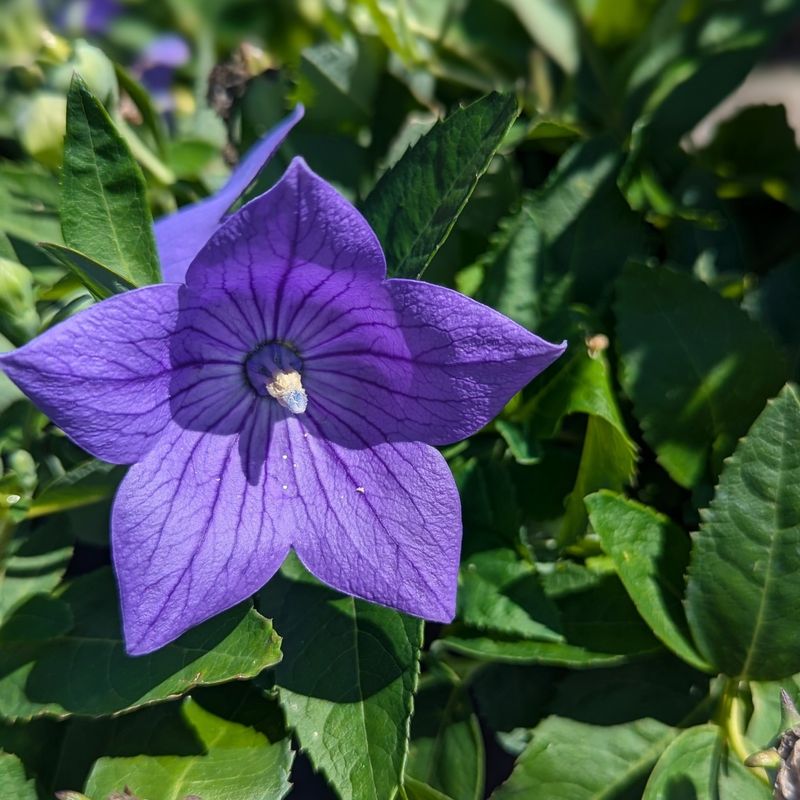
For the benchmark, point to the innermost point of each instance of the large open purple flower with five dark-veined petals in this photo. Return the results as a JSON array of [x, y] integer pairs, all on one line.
[[285, 396]]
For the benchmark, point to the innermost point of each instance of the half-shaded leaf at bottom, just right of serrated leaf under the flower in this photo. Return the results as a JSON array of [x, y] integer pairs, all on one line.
[[446, 750]]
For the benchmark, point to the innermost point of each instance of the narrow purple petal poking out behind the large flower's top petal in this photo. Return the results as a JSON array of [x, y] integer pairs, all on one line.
[[181, 236]]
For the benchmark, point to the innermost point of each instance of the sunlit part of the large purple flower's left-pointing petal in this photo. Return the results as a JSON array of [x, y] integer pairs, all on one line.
[[103, 375]]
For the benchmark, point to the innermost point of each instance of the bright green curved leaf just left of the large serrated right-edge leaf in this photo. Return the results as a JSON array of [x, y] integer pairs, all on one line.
[[650, 554]]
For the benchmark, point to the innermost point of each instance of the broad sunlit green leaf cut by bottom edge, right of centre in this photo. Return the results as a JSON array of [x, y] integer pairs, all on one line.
[[571, 760]]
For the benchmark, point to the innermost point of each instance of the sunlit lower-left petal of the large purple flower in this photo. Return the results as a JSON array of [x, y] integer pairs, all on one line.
[[191, 536]]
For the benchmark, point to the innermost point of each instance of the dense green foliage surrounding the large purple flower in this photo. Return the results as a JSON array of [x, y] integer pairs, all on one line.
[[628, 593]]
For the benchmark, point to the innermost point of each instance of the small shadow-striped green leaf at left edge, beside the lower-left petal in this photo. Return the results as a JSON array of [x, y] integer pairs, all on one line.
[[36, 561]]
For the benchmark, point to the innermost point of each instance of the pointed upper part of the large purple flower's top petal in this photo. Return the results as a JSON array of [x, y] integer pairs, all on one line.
[[301, 220]]
